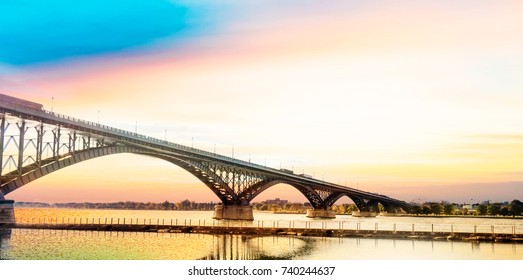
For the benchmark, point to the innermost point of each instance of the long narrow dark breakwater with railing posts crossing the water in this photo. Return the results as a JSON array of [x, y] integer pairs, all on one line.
[[411, 235]]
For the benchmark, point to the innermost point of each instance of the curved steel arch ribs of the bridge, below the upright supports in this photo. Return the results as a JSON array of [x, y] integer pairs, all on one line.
[[200, 170]]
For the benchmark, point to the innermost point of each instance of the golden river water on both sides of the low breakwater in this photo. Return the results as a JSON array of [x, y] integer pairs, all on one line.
[[32, 244]]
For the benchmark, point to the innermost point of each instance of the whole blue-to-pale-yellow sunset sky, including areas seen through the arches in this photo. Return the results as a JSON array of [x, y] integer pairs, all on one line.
[[418, 100]]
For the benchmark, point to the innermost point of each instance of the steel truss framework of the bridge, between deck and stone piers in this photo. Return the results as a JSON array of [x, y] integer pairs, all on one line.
[[32, 148]]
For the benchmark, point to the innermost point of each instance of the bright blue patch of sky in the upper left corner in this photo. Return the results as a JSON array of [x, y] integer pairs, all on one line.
[[35, 31]]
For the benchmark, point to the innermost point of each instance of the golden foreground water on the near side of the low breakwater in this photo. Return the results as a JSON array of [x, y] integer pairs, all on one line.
[[24, 244]]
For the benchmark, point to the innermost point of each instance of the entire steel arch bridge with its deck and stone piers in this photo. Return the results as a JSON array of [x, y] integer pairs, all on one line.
[[35, 142]]
